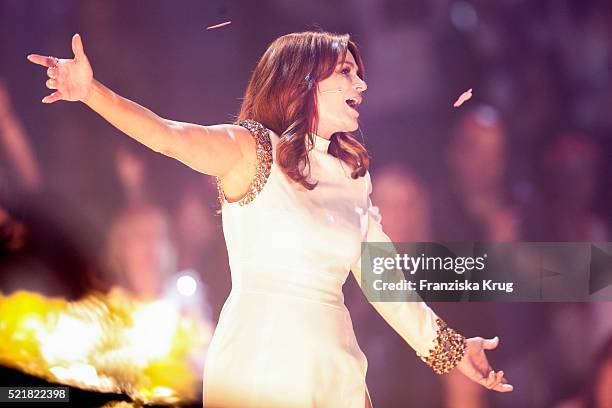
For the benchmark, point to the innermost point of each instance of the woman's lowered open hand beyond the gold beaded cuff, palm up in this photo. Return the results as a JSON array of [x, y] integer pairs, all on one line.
[[476, 367]]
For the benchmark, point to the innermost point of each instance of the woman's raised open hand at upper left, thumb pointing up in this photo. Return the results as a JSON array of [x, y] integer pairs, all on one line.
[[71, 78]]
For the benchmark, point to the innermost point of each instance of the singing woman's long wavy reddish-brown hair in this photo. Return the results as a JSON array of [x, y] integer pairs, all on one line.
[[281, 95]]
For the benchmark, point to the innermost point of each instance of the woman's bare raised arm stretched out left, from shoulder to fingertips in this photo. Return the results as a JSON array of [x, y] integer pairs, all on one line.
[[216, 150]]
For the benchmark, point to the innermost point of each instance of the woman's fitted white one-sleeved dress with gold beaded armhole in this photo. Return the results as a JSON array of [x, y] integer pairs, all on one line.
[[284, 337]]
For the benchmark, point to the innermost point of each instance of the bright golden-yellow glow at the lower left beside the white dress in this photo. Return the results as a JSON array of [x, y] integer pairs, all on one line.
[[106, 343]]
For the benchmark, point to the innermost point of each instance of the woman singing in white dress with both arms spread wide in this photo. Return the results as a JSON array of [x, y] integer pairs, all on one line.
[[294, 189]]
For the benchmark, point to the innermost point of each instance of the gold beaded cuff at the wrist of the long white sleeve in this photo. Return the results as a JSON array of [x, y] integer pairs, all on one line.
[[448, 351]]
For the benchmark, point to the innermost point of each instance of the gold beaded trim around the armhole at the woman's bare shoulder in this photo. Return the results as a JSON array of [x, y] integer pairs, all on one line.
[[264, 162]]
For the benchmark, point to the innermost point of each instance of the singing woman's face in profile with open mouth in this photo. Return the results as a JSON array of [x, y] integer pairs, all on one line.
[[338, 99]]
